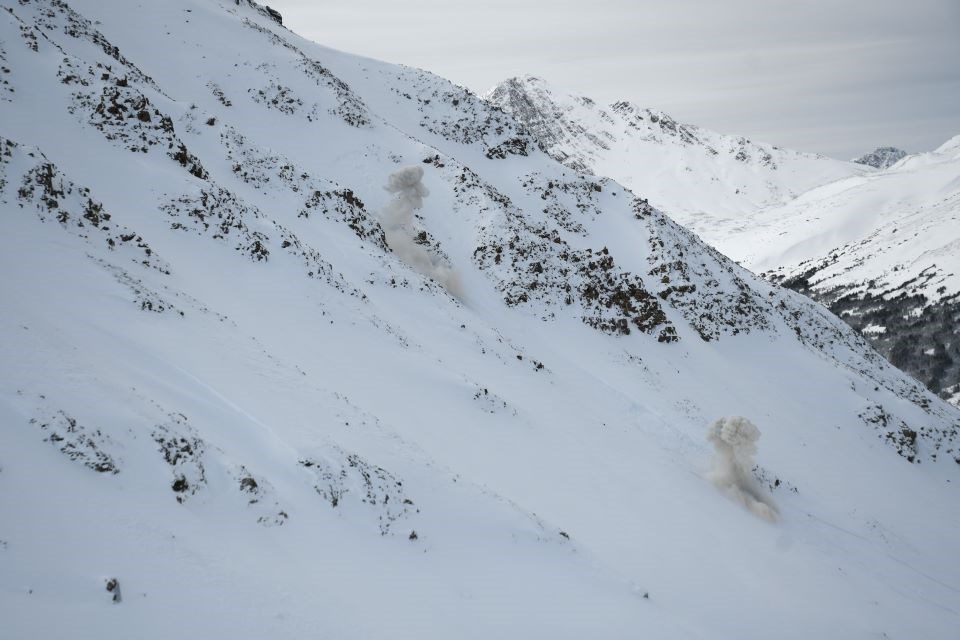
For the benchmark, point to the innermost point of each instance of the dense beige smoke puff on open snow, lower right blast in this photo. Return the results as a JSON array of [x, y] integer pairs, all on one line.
[[735, 442]]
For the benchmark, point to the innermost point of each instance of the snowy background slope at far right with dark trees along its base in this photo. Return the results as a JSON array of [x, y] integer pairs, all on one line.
[[883, 252]]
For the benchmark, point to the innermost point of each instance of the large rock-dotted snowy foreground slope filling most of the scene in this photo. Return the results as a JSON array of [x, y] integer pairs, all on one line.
[[230, 410]]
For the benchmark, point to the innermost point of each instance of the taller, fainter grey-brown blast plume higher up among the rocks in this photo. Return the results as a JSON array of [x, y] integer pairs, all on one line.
[[397, 220]]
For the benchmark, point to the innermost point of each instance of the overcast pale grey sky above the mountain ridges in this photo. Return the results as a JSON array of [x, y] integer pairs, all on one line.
[[838, 77]]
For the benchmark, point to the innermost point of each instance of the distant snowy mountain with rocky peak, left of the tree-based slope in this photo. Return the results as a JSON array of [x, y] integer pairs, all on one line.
[[703, 179]]
